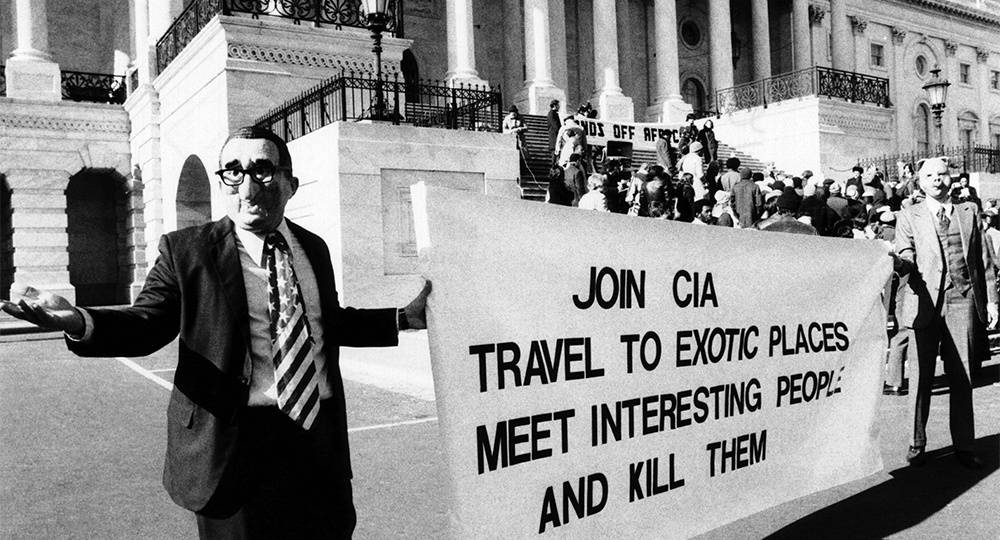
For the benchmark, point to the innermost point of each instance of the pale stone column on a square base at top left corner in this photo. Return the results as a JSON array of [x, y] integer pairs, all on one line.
[[31, 73]]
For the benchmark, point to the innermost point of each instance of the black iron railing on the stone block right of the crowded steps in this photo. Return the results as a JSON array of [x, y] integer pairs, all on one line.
[[814, 81]]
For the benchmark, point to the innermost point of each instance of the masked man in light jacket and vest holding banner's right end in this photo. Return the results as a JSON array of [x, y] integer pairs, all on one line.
[[940, 247]]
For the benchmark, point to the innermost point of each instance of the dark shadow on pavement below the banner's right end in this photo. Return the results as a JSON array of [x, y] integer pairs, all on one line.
[[913, 495]]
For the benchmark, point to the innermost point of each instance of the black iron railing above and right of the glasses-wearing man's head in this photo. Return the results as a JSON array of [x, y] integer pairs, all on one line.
[[355, 97]]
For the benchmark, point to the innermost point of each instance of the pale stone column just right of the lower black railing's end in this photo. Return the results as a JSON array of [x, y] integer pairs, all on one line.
[[539, 87]]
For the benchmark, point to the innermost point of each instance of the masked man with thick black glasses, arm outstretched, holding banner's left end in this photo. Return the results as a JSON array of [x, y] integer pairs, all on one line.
[[245, 453]]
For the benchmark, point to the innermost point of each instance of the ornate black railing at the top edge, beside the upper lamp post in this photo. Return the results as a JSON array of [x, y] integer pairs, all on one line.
[[335, 13]]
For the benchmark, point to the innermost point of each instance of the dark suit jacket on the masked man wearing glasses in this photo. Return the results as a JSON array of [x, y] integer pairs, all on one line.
[[196, 289]]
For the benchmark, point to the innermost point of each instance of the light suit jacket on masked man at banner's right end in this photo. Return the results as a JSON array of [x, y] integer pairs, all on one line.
[[923, 259]]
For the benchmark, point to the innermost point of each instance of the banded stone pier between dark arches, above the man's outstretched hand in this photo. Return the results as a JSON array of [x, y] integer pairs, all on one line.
[[40, 239]]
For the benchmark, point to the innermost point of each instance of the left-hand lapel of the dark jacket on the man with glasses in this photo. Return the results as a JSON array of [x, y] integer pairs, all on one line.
[[225, 259]]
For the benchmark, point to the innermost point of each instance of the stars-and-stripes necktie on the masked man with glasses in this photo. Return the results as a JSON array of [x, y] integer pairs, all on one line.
[[291, 343]]
